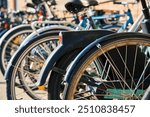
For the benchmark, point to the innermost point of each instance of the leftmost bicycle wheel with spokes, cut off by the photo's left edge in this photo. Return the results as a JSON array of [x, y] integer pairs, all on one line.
[[11, 42]]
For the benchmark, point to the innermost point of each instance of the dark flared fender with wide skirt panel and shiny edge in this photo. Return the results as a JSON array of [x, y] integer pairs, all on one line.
[[70, 43]]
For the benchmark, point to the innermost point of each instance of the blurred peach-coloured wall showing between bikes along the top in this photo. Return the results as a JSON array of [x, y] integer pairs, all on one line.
[[16, 5]]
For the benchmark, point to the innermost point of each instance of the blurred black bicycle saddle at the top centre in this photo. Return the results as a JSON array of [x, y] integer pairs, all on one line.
[[75, 6]]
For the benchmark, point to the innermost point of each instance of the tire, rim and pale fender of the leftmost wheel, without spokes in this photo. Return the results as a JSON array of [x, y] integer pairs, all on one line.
[[7, 39]]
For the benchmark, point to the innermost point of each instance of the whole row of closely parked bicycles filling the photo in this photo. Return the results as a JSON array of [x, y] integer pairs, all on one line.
[[91, 55]]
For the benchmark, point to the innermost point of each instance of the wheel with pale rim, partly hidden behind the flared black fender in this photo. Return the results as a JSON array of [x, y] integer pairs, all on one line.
[[24, 74]]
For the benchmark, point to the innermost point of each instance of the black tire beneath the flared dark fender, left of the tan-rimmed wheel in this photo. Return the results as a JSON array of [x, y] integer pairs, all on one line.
[[55, 88]]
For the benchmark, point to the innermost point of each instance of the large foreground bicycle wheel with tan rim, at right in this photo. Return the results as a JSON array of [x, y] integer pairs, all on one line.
[[124, 71]]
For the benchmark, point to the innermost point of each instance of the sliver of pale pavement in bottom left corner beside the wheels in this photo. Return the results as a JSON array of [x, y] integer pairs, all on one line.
[[2, 88]]
